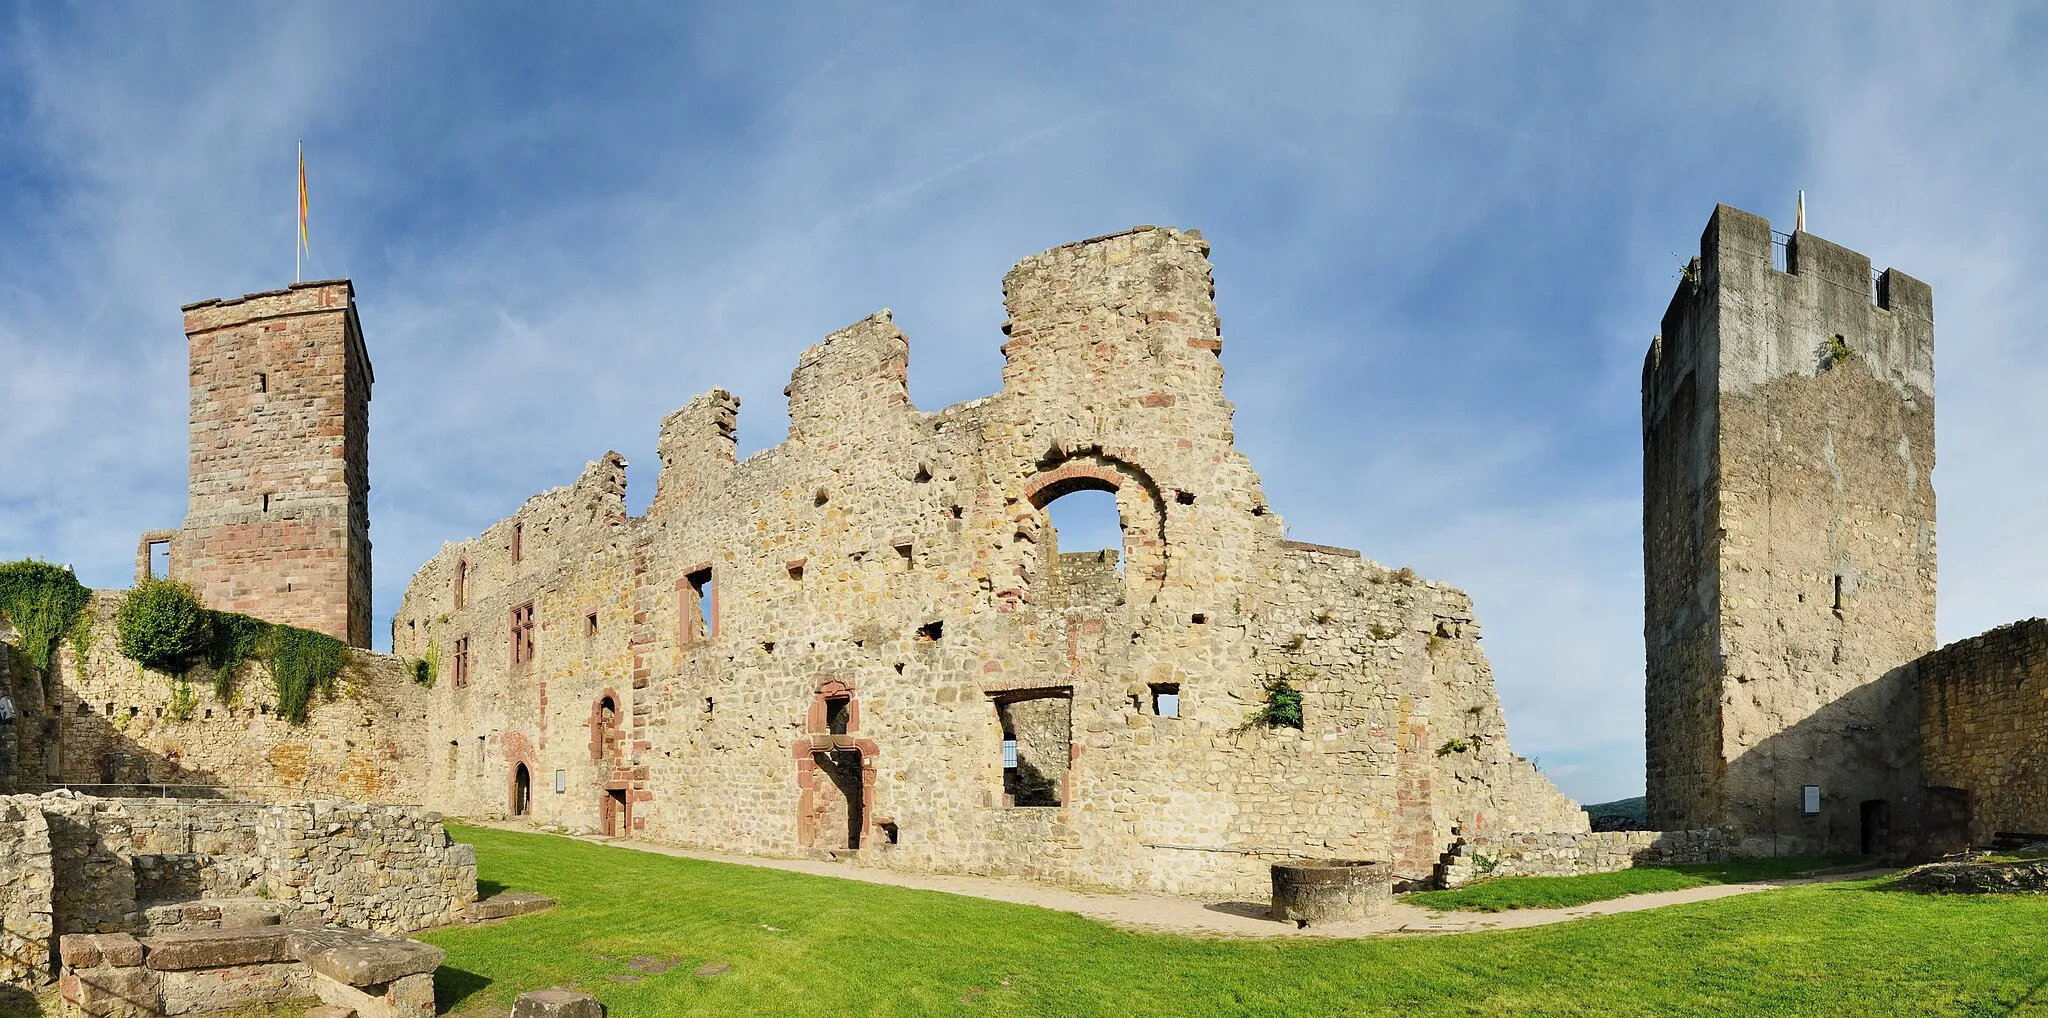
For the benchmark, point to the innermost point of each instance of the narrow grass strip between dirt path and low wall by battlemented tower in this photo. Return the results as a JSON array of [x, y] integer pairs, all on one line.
[[1568, 892]]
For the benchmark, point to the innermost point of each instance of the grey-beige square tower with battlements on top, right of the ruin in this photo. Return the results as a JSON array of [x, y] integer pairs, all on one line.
[[1787, 542]]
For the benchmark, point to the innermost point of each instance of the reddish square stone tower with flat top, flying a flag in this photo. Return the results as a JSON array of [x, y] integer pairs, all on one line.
[[280, 491]]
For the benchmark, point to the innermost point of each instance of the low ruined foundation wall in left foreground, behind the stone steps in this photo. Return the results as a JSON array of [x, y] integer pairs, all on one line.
[[79, 865]]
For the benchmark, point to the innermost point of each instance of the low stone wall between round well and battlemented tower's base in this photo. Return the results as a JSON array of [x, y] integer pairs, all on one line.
[[1576, 853]]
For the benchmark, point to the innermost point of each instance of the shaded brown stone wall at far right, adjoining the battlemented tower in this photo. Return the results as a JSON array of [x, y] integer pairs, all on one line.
[[1981, 730]]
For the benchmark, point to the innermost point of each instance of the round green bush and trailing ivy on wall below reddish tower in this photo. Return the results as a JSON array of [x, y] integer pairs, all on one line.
[[165, 628]]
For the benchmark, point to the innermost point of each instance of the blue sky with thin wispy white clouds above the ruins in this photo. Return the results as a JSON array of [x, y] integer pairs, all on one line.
[[1443, 237]]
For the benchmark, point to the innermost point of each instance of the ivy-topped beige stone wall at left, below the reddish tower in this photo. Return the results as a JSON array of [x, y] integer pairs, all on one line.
[[116, 728]]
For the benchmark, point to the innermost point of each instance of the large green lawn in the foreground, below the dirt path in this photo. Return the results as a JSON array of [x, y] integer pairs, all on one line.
[[818, 947]]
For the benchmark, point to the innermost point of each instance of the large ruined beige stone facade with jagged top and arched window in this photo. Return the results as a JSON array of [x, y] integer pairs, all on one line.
[[865, 642]]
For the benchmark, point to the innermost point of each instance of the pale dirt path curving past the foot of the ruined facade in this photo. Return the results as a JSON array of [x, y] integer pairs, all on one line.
[[1146, 910]]
